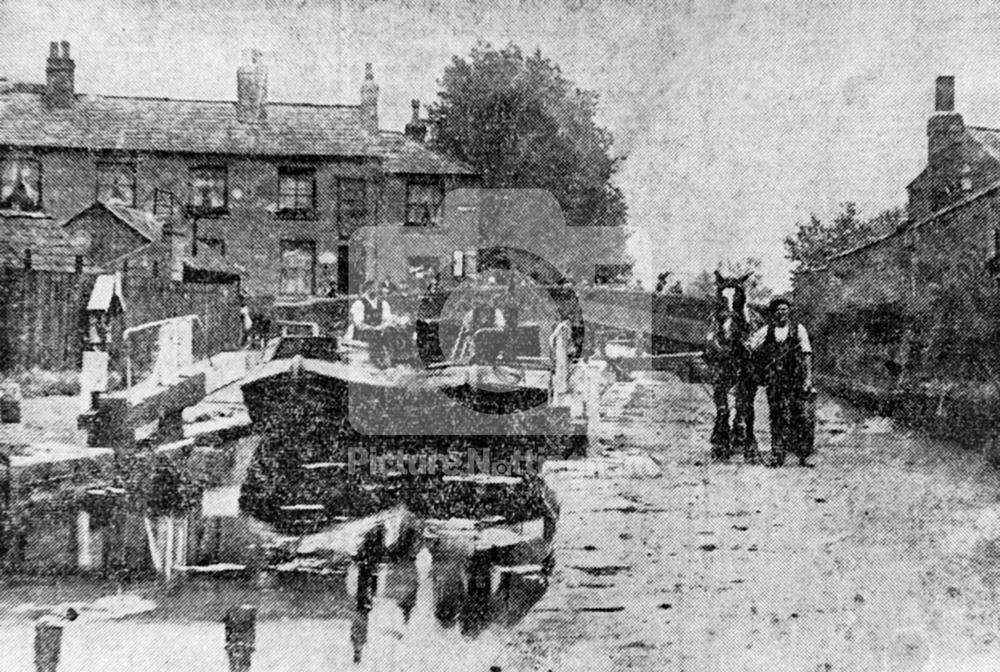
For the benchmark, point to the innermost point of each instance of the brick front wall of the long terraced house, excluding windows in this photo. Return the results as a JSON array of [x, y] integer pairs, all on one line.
[[252, 231]]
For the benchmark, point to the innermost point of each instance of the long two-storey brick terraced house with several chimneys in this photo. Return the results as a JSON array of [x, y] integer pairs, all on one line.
[[275, 189]]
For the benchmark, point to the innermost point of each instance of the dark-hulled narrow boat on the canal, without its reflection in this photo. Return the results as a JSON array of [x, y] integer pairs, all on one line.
[[324, 396]]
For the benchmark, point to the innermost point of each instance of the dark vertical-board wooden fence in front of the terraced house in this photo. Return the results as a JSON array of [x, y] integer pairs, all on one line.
[[43, 320]]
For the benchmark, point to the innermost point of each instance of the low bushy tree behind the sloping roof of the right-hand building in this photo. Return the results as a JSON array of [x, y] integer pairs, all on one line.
[[814, 241]]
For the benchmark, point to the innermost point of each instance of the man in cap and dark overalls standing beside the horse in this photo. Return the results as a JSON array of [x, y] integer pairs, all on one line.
[[783, 358]]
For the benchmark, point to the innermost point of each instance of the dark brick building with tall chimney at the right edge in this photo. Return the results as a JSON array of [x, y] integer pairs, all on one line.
[[888, 292]]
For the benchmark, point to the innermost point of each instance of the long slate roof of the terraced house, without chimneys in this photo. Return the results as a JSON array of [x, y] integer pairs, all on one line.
[[208, 127]]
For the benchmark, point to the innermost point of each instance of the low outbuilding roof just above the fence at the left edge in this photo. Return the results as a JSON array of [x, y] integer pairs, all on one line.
[[51, 249]]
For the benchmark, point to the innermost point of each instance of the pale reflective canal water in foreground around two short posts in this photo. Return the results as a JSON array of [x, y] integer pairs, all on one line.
[[431, 603]]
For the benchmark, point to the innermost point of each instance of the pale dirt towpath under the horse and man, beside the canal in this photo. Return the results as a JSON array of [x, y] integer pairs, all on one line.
[[886, 556]]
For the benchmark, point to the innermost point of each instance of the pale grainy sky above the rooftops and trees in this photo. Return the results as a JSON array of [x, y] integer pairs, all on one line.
[[735, 119]]
